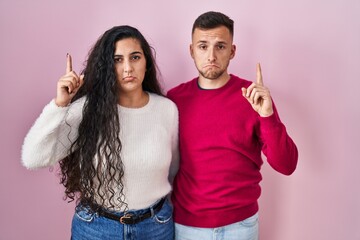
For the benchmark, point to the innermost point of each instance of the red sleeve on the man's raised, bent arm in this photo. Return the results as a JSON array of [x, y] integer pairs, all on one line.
[[277, 146]]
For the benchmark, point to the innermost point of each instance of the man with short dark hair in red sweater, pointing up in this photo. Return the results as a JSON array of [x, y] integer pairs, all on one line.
[[225, 123]]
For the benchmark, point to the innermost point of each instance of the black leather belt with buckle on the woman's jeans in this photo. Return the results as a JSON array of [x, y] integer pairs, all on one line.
[[130, 218]]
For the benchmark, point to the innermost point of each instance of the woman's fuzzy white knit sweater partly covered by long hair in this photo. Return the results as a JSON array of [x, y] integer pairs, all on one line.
[[149, 137]]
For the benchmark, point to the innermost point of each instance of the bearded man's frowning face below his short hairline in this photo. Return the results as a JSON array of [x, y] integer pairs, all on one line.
[[212, 50]]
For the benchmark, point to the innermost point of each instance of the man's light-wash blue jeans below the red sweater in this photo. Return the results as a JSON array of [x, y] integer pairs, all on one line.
[[247, 229]]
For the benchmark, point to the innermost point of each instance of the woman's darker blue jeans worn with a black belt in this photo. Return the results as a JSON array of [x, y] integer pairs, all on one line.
[[91, 226]]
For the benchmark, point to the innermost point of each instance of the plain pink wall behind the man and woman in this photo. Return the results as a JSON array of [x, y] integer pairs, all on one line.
[[310, 56]]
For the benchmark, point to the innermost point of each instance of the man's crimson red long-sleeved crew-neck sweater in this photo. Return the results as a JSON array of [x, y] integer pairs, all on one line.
[[221, 139]]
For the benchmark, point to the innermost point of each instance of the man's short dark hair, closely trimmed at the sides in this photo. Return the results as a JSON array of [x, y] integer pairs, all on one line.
[[212, 19]]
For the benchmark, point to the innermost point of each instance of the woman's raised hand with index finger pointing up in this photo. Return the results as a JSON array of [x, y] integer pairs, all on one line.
[[68, 85]]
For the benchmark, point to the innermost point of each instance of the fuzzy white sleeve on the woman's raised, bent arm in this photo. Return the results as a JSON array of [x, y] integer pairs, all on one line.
[[50, 137]]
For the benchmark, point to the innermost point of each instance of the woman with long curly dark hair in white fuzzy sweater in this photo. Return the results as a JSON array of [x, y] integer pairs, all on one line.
[[116, 139]]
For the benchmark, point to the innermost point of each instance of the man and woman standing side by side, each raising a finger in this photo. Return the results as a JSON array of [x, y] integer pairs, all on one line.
[[118, 139]]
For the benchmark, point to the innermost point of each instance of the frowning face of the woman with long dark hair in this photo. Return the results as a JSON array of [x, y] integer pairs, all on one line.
[[130, 65]]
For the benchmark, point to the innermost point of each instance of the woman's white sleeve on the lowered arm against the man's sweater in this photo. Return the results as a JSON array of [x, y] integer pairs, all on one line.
[[175, 156]]
